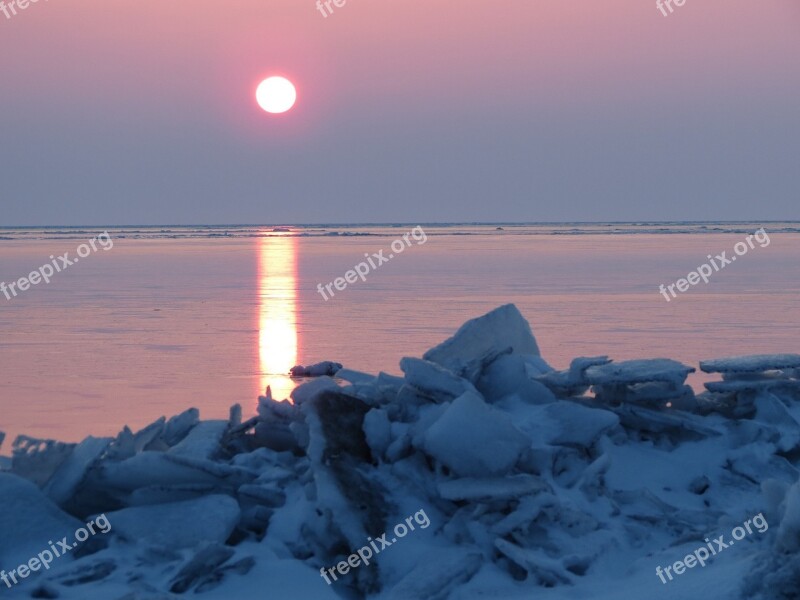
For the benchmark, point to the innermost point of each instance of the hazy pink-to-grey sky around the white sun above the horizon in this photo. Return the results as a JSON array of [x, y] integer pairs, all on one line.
[[142, 112]]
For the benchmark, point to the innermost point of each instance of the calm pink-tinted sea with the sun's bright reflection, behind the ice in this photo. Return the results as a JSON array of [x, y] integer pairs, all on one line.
[[173, 317]]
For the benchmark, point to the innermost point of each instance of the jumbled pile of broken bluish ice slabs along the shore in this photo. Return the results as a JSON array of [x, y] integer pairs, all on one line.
[[534, 481]]
